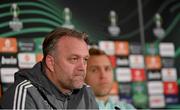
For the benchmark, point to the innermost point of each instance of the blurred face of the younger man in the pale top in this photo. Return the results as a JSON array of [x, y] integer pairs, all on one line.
[[99, 74]]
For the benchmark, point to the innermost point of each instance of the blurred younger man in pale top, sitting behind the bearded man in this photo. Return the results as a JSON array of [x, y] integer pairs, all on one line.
[[100, 78]]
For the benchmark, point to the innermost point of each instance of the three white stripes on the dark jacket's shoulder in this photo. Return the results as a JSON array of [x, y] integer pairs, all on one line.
[[20, 94]]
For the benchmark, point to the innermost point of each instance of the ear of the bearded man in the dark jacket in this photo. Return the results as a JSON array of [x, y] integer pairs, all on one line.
[[50, 63]]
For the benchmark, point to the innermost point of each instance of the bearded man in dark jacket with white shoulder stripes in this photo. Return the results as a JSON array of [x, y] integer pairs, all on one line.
[[58, 81]]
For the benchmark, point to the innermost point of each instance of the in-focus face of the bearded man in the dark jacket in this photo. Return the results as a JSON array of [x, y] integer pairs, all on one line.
[[70, 63]]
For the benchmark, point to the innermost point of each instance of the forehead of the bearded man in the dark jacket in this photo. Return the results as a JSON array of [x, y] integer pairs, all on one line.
[[71, 45]]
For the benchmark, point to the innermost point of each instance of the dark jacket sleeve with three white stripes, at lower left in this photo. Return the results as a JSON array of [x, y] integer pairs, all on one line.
[[17, 97]]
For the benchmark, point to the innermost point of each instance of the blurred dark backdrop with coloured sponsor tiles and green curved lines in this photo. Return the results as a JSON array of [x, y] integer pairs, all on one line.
[[146, 76]]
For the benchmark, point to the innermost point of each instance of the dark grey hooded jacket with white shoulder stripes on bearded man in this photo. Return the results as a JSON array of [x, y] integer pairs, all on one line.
[[33, 90]]
